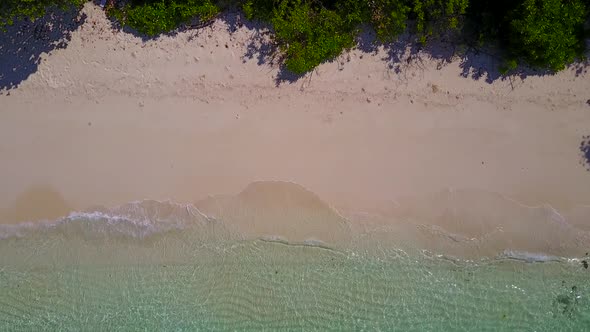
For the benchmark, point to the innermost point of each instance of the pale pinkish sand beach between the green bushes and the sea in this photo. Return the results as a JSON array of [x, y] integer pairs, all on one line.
[[111, 119]]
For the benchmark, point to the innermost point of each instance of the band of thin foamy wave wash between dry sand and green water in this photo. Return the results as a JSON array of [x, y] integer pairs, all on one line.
[[464, 224]]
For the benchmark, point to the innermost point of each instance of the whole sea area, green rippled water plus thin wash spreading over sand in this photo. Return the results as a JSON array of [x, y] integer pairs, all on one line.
[[166, 266]]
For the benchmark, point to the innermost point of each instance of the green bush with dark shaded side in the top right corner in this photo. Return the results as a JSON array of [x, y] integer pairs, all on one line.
[[546, 34]]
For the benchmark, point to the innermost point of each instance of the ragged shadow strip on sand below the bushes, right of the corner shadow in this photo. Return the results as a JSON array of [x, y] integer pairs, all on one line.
[[475, 63]]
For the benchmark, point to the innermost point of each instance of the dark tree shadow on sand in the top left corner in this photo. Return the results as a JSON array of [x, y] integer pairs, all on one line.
[[22, 44]]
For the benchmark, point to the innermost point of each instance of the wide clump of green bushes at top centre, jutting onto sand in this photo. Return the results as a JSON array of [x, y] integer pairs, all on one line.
[[312, 31]]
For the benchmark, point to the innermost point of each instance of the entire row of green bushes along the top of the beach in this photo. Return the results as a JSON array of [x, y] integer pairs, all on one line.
[[547, 34]]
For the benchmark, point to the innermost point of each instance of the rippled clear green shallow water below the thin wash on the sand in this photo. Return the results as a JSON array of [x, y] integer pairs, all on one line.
[[93, 272]]
